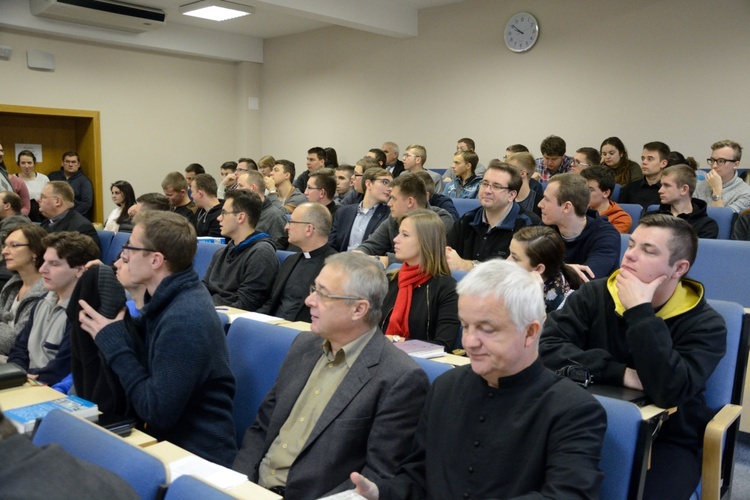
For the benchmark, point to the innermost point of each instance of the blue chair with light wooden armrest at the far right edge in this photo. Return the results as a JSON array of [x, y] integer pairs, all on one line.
[[724, 393]]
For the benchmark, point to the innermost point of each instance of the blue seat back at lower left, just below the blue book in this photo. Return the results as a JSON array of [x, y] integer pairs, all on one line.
[[87, 441]]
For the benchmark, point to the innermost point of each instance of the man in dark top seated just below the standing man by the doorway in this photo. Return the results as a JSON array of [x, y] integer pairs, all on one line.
[[56, 204]]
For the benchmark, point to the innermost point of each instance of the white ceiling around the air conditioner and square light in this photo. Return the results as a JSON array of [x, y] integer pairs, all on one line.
[[238, 39]]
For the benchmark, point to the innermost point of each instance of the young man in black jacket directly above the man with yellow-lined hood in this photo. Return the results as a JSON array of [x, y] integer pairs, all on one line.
[[676, 196]]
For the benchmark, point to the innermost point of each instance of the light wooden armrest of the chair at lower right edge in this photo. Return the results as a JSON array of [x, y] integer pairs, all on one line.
[[713, 447]]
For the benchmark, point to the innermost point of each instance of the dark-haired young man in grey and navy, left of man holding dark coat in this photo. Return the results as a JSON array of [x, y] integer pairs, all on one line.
[[42, 348]]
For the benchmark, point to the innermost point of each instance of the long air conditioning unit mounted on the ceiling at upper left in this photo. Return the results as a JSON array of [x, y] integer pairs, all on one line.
[[101, 13]]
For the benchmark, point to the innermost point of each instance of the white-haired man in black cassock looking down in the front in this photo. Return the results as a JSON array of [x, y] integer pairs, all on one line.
[[504, 426]]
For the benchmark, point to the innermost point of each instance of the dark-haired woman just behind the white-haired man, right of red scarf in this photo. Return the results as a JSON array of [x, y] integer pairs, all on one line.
[[542, 249]]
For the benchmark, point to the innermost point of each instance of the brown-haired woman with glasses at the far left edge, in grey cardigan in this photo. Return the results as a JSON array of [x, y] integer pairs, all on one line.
[[23, 252]]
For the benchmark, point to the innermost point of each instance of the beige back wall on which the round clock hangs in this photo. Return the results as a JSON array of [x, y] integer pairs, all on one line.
[[643, 70]]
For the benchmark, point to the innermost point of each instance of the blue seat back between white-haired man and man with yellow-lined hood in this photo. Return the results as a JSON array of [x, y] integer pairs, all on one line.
[[619, 448]]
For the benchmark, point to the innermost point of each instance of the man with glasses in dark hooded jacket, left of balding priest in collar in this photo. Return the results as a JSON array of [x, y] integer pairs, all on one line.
[[241, 274]]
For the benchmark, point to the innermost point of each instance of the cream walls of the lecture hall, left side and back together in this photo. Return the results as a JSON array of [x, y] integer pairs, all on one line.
[[643, 70]]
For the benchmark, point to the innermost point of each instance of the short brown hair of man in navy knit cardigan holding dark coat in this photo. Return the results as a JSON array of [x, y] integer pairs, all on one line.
[[170, 234]]
